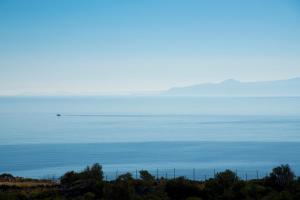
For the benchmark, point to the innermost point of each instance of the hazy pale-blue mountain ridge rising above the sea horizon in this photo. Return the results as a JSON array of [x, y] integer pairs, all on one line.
[[231, 87]]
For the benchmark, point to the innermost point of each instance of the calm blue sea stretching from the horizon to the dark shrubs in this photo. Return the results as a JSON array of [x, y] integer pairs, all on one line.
[[128, 133]]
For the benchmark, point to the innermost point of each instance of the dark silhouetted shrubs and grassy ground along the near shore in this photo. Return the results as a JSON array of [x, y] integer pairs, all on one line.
[[280, 184]]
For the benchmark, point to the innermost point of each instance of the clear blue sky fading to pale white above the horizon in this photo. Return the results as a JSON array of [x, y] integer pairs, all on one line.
[[116, 46]]
